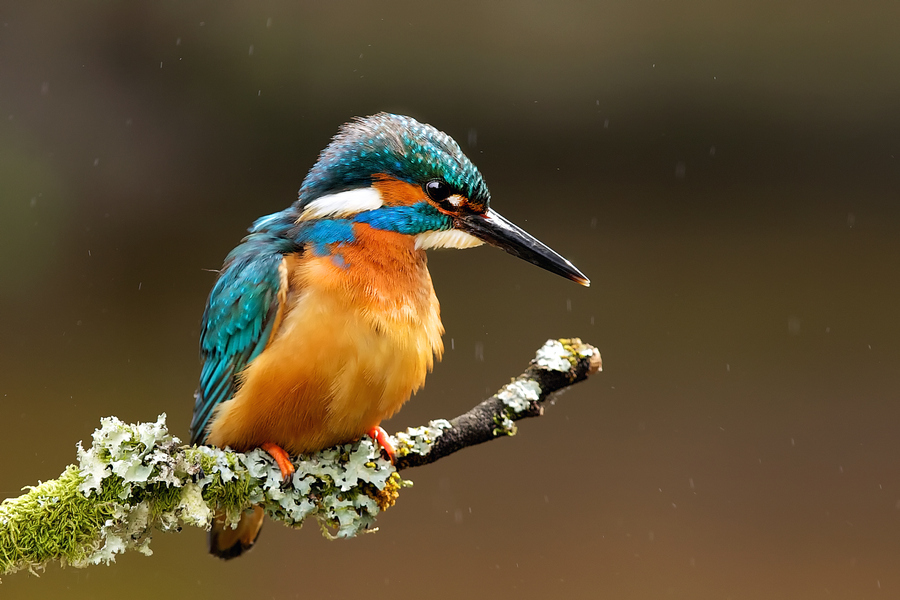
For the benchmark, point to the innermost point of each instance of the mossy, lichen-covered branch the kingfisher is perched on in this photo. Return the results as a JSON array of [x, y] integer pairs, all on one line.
[[137, 478]]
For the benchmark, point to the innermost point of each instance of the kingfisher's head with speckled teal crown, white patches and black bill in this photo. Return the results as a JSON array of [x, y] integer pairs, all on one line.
[[393, 173]]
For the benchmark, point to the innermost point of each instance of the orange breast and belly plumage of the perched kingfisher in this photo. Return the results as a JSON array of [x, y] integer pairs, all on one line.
[[356, 334]]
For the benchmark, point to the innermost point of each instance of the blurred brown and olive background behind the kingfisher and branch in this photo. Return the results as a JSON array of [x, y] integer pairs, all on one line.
[[725, 172]]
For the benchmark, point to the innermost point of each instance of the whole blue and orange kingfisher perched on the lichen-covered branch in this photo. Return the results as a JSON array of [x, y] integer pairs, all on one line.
[[323, 321]]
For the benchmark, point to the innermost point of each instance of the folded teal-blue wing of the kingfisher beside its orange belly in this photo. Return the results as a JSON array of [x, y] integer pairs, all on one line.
[[240, 317]]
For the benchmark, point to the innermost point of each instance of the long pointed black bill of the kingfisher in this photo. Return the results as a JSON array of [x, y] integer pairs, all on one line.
[[497, 231]]
